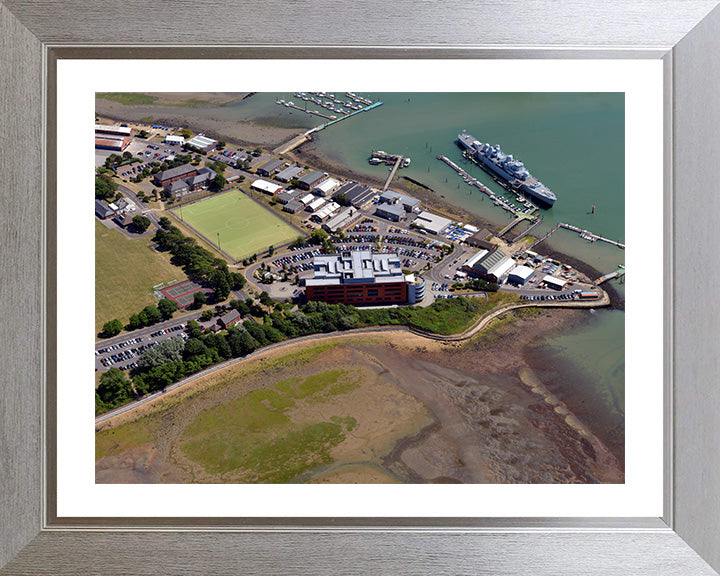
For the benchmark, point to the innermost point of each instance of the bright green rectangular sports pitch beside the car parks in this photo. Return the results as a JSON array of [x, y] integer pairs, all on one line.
[[245, 227]]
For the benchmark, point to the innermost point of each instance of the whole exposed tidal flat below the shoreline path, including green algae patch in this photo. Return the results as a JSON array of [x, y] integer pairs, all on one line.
[[382, 408]]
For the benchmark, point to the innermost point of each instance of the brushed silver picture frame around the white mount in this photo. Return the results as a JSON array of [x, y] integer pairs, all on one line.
[[34, 36]]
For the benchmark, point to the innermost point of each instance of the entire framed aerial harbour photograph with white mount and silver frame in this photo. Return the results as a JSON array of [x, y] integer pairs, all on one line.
[[427, 304]]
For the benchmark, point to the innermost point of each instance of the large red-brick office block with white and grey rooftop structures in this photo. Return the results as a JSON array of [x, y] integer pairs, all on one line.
[[358, 278]]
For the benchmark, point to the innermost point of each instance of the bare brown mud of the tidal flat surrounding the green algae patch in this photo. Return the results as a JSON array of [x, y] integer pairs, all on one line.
[[426, 412]]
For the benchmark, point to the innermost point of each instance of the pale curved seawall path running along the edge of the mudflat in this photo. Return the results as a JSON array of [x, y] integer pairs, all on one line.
[[469, 333]]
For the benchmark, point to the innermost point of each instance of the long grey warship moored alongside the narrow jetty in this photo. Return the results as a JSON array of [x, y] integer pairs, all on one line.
[[513, 171]]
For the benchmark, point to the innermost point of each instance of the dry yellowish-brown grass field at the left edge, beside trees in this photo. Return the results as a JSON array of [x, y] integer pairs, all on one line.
[[125, 272]]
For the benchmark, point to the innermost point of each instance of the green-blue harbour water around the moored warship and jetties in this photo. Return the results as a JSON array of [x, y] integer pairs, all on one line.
[[572, 142]]
